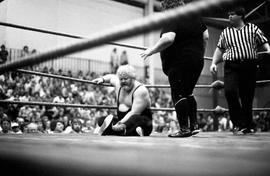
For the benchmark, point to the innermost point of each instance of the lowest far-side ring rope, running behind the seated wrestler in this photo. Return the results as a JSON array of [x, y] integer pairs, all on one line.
[[218, 109]]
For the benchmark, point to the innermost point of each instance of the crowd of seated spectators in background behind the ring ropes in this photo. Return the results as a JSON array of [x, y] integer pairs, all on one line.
[[18, 119]]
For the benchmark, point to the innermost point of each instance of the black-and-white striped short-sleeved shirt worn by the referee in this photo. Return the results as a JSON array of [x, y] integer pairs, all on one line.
[[241, 44]]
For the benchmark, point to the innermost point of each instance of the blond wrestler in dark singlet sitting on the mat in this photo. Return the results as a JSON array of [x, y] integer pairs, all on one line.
[[134, 117]]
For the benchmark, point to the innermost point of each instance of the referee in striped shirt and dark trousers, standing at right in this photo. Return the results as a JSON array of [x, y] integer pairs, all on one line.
[[238, 46]]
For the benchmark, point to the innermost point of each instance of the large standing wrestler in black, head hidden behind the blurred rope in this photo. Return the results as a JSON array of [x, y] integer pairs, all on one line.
[[181, 48]]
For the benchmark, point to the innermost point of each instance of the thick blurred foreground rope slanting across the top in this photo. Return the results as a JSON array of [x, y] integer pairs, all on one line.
[[130, 29]]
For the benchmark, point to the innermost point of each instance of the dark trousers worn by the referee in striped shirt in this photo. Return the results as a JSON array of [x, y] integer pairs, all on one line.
[[239, 85]]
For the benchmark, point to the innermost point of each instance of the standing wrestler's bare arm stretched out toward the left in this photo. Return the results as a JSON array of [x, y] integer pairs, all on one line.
[[164, 42]]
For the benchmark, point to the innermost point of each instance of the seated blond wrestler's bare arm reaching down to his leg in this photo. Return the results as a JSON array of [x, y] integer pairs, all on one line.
[[141, 100]]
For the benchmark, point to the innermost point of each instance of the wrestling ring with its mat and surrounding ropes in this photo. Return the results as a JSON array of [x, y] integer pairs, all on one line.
[[209, 153]]
